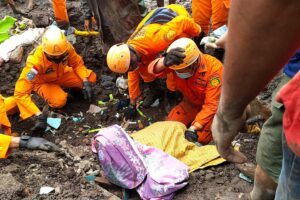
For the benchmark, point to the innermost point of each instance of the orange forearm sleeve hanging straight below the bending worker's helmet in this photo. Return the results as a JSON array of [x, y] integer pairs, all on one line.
[[134, 84]]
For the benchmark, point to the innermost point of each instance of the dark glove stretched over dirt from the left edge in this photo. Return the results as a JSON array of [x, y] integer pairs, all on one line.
[[36, 143]]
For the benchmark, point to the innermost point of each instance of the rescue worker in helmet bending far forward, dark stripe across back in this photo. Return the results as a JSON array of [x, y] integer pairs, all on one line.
[[152, 36]]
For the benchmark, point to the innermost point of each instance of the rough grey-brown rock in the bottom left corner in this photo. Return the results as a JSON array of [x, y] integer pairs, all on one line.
[[10, 187]]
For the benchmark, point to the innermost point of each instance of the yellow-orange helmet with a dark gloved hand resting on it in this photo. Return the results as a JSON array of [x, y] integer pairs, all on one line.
[[192, 52]]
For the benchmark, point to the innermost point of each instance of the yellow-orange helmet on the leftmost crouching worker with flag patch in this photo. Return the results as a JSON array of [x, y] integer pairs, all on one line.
[[54, 42]]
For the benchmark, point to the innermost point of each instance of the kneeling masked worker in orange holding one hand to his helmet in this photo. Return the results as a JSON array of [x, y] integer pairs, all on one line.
[[198, 77]]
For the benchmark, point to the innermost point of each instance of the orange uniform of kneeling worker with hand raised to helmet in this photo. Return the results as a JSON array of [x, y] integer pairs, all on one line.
[[201, 94]]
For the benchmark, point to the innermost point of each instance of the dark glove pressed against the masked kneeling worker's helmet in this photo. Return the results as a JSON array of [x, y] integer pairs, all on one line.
[[174, 57]]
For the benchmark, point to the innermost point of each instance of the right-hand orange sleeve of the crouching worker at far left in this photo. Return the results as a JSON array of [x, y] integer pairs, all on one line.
[[75, 61]]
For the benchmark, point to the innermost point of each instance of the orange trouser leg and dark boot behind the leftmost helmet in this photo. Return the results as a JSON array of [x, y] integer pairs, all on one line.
[[61, 14]]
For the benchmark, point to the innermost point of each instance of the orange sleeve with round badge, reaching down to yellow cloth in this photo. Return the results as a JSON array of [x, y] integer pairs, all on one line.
[[212, 96]]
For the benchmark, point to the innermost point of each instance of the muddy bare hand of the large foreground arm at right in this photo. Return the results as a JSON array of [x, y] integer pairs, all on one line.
[[224, 130]]
